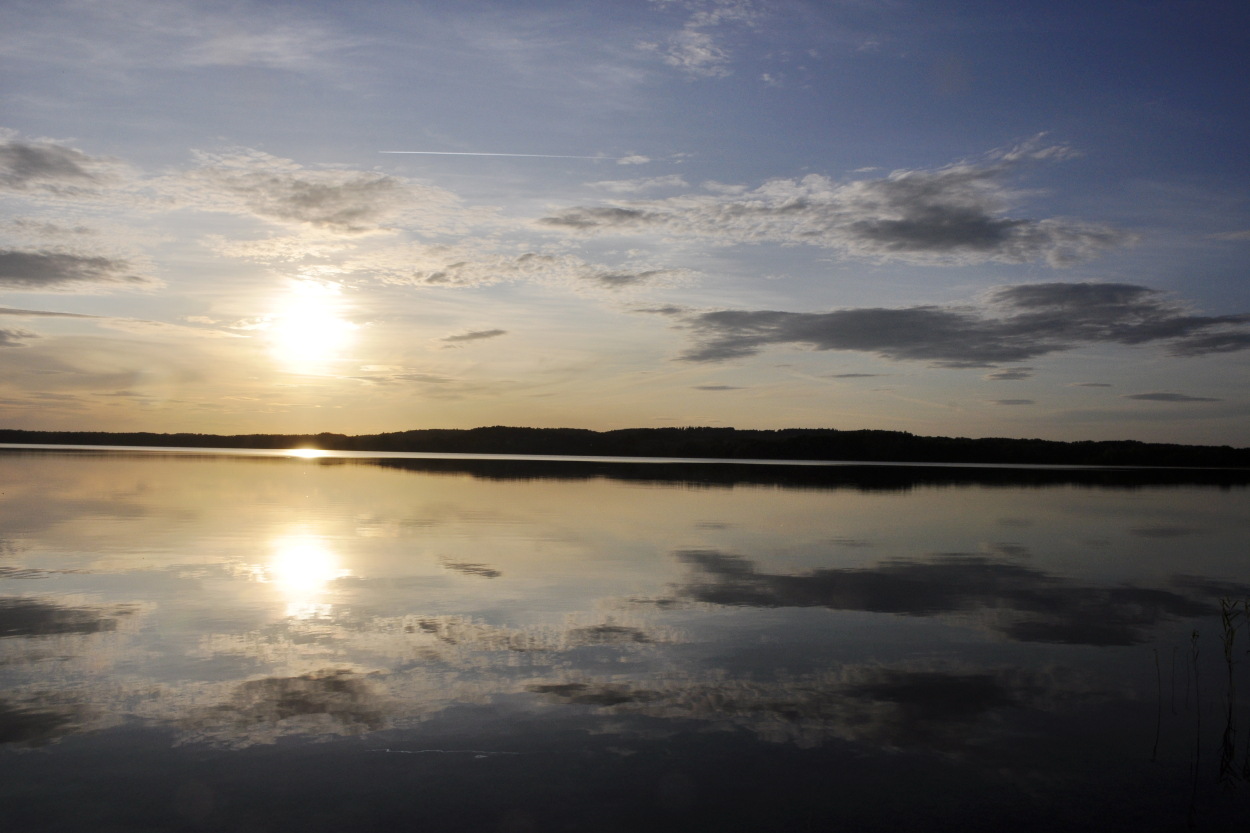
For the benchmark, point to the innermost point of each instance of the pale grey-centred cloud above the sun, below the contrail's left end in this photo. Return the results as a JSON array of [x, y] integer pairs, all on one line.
[[338, 202]]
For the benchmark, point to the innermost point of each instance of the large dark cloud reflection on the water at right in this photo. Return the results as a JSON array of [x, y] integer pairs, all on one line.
[[1028, 606]]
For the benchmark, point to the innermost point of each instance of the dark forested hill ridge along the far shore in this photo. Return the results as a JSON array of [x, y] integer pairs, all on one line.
[[787, 445]]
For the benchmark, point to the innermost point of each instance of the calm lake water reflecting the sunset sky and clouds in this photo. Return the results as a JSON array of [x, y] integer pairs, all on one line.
[[251, 644]]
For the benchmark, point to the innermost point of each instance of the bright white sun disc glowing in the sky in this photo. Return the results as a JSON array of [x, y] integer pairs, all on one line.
[[309, 332]]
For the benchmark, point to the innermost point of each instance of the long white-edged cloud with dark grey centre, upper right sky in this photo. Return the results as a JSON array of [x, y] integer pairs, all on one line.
[[954, 215]]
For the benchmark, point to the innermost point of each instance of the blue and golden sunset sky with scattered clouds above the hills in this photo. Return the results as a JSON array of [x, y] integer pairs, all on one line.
[[972, 220]]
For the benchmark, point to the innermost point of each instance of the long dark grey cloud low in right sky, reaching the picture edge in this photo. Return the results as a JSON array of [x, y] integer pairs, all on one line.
[[1013, 325]]
